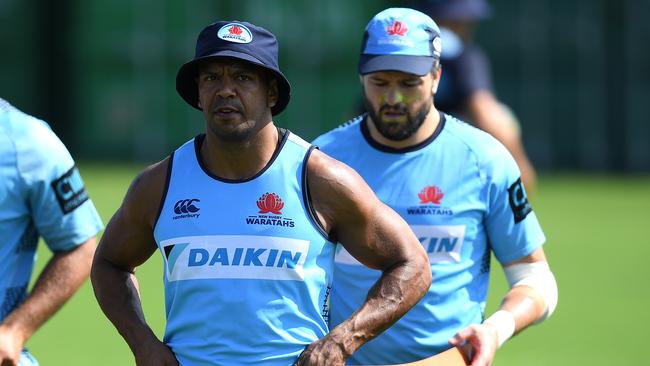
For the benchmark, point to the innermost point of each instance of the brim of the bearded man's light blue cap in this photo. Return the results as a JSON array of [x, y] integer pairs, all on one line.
[[416, 65]]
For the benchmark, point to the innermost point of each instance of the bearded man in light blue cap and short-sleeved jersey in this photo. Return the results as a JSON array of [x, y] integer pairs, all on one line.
[[458, 189]]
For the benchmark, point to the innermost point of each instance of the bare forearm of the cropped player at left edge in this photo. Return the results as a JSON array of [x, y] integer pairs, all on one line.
[[64, 273]]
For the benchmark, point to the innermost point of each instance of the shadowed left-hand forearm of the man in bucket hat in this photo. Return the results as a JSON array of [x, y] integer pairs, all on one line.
[[117, 293]]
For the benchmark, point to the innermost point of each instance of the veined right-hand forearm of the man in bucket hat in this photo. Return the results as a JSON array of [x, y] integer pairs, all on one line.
[[397, 290]]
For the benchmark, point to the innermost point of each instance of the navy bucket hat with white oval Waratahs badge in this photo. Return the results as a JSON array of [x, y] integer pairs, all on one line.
[[235, 39]]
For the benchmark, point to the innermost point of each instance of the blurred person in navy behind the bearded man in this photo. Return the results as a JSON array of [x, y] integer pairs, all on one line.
[[466, 89]]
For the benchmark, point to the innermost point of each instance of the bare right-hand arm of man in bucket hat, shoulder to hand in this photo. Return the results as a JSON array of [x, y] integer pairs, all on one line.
[[377, 237]]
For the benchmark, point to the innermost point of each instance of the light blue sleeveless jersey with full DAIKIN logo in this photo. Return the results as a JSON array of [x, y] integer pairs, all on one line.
[[247, 271]]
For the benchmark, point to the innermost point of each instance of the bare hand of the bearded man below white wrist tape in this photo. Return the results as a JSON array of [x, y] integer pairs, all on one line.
[[479, 341]]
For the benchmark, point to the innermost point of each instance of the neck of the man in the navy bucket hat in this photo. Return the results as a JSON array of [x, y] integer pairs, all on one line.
[[239, 160]]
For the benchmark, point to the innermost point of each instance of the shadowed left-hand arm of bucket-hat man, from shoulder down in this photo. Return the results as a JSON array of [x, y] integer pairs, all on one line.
[[127, 243]]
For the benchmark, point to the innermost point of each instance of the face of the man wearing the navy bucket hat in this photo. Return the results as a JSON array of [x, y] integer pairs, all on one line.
[[236, 98]]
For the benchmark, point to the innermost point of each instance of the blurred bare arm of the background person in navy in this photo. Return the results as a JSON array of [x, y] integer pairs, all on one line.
[[494, 118]]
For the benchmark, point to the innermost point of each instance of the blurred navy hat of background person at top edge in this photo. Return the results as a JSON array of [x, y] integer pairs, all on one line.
[[458, 9]]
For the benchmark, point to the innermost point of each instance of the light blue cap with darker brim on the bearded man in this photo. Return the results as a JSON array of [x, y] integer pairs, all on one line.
[[400, 39]]
